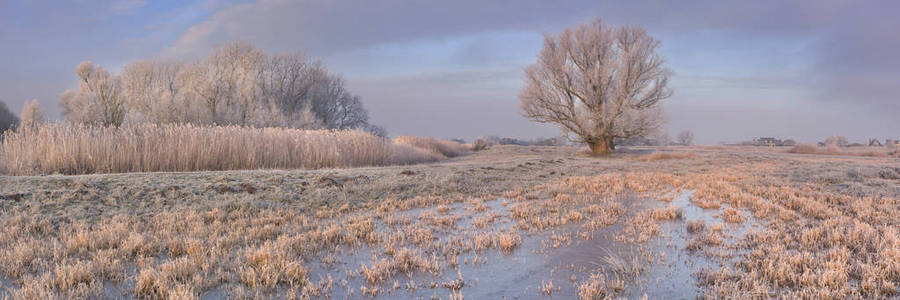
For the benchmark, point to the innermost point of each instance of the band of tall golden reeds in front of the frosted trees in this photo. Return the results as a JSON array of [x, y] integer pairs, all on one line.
[[80, 149]]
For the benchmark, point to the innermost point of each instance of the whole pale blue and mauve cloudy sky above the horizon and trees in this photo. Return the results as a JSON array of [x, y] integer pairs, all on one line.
[[452, 69]]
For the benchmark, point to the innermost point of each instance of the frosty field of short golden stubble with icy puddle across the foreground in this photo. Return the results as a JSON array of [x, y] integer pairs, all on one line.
[[514, 221]]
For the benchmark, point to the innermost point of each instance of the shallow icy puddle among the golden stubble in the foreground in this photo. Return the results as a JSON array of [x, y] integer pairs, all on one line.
[[662, 267]]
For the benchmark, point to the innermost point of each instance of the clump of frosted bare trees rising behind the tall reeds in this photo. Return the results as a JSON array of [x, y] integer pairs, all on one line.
[[237, 84]]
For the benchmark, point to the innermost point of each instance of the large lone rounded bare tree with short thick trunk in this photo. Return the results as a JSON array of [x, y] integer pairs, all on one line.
[[598, 83]]
